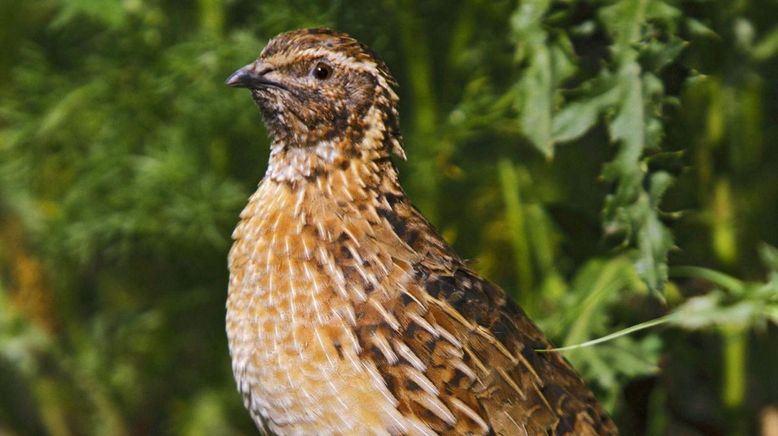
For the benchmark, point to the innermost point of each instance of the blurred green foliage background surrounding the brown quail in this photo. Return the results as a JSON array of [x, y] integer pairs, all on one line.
[[609, 163]]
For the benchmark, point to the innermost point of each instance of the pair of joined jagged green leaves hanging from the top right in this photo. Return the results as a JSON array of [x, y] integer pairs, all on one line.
[[628, 95]]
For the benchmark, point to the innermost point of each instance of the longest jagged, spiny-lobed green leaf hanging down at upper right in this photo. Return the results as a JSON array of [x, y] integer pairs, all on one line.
[[630, 211]]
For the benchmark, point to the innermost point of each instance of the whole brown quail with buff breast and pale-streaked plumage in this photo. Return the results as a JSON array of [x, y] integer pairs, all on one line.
[[347, 312]]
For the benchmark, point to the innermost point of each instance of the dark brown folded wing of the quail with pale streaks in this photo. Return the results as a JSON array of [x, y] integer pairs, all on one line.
[[462, 358]]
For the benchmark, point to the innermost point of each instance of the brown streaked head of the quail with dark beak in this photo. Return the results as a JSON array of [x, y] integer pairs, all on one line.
[[317, 86]]
